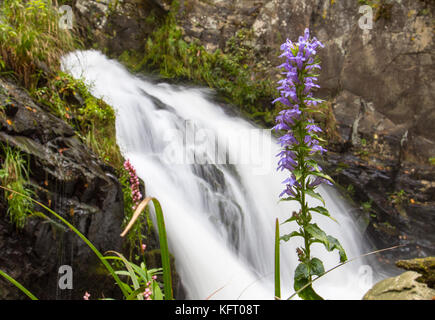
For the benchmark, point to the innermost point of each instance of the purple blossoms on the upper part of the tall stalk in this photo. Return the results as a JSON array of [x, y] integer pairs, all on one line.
[[296, 95]]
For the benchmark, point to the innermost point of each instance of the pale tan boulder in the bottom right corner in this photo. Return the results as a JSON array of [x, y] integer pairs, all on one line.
[[403, 287]]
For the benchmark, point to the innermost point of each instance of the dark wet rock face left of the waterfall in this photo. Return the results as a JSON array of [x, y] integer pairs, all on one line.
[[73, 182]]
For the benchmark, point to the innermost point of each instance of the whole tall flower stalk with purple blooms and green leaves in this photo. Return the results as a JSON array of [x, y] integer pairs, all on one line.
[[300, 142]]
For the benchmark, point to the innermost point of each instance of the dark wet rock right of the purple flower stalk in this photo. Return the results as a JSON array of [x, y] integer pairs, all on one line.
[[399, 207]]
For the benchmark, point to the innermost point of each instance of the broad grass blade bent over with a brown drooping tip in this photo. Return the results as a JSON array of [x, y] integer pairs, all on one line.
[[164, 250]]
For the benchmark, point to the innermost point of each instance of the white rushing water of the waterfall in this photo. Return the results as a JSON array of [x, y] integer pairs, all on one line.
[[219, 217]]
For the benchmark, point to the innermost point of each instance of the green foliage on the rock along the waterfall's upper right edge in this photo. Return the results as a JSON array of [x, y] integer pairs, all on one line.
[[168, 54]]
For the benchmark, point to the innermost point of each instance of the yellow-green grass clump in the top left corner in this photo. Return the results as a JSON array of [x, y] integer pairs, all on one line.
[[30, 38]]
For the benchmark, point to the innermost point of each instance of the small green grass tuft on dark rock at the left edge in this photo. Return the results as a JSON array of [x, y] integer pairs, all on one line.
[[14, 174]]
